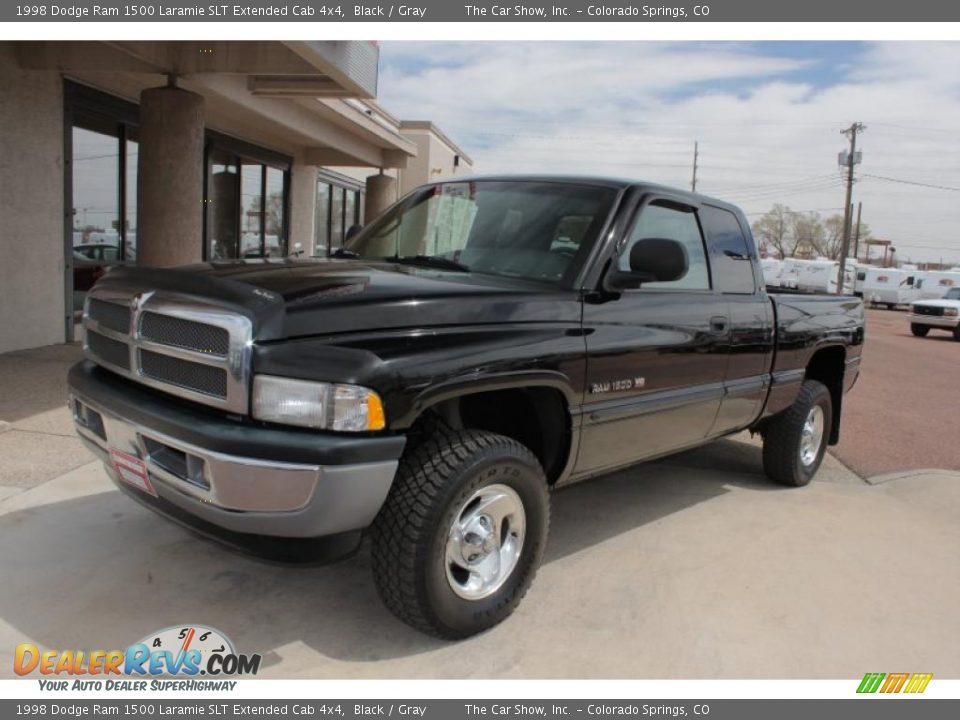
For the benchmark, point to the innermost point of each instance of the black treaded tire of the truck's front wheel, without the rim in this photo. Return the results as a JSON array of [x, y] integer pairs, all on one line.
[[409, 535]]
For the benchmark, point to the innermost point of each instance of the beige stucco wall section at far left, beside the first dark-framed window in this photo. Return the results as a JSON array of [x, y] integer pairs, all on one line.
[[31, 185]]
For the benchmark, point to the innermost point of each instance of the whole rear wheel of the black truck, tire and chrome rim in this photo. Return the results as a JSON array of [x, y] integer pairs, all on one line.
[[795, 441]]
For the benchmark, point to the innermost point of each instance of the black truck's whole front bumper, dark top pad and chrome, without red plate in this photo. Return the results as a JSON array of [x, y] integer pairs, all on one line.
[[241, 478]]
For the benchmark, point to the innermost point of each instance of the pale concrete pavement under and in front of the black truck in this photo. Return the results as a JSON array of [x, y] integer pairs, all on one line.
[[673, 569]]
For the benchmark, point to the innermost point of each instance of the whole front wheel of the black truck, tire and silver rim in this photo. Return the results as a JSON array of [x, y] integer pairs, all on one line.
[[462, 532]]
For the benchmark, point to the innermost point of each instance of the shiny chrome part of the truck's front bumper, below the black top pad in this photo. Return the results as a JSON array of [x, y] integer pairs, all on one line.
[[240, 494]]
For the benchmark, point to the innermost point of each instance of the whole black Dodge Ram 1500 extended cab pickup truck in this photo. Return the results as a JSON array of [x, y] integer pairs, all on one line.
[[481, 343]]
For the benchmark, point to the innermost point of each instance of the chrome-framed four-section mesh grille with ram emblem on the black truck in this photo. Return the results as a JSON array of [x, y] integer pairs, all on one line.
[[193, 348]]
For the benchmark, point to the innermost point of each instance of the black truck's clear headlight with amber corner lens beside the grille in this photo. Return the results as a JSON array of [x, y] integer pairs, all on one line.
[[324, 406]]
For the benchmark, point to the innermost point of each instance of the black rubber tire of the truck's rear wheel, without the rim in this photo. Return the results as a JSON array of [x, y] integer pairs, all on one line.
[[782, 437]]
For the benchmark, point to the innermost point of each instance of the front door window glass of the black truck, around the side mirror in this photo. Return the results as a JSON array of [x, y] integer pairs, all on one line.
[[661, 219]]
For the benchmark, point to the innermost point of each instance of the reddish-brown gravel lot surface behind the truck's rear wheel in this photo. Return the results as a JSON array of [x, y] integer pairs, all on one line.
[[902, 413]]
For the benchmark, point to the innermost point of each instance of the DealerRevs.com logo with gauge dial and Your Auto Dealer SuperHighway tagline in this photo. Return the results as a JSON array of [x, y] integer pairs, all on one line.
[[185, 651]]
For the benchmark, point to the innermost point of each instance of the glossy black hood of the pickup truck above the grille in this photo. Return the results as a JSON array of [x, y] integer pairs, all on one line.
[[303, 298]]
